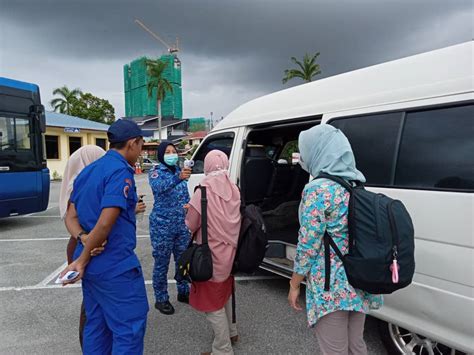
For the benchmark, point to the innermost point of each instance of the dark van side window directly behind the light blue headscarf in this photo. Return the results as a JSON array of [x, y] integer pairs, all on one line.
[[373, 139]]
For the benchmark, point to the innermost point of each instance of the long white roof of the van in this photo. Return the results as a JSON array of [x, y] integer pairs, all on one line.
[[440, 72]]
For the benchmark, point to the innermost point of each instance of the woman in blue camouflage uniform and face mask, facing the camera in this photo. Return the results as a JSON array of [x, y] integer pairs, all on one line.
[[168, 232]]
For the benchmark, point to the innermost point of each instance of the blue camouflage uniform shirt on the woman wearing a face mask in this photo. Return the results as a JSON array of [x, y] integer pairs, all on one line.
[[170, 193]]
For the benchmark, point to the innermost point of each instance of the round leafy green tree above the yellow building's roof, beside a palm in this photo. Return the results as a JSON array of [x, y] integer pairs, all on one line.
[[93, 108]]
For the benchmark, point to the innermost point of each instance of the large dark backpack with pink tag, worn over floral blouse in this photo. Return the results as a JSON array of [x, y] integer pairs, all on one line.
[[381, 240]]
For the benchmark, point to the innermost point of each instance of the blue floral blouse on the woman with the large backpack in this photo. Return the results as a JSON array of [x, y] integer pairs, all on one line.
[[324, 205]]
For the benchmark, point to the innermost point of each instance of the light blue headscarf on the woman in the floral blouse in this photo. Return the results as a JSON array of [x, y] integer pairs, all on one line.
[[325, 149]]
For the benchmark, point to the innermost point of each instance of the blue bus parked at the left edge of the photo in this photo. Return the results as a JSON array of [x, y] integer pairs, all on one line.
[[24, 177]]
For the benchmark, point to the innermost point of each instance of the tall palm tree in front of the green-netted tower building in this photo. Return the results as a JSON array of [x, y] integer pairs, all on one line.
[[159, 84]]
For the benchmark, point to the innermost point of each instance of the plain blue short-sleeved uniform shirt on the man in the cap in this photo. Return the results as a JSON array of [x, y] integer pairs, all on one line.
[[108, 182]]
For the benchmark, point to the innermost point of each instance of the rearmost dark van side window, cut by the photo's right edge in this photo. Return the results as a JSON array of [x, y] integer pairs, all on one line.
[[437, 149]]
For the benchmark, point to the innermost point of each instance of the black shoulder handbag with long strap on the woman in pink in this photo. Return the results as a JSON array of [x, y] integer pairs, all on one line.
[[195, 264]]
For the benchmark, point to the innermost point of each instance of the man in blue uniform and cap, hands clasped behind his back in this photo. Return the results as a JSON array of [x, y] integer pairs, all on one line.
[[104, 199]]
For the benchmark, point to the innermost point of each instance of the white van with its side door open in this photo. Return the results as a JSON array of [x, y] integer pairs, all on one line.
[[411, 125]]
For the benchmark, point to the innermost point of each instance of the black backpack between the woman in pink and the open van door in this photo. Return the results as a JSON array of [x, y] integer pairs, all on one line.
[[253, 241]]
